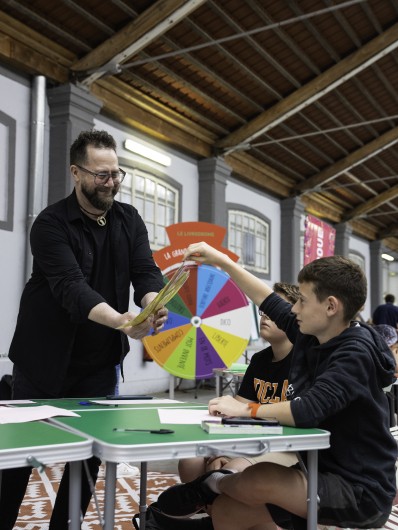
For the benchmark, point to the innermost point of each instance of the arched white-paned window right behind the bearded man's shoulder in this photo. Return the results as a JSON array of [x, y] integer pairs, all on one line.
[[156, 200]]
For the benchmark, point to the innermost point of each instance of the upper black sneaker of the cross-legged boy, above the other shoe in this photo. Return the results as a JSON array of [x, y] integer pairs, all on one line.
[[187, 499]]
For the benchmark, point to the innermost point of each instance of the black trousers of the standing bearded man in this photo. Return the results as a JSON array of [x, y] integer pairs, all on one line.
[[15, 481]]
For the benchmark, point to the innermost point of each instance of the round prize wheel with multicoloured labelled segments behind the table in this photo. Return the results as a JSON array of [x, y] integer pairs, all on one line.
[[208, 327]]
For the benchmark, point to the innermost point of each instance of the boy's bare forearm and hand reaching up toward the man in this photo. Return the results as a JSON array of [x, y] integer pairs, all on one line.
[[252, 286]]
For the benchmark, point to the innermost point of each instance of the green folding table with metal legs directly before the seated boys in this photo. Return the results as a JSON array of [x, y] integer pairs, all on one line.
[[98, 423]]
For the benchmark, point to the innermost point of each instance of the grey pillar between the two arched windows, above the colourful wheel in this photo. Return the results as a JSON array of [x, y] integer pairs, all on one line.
[[213, 175]]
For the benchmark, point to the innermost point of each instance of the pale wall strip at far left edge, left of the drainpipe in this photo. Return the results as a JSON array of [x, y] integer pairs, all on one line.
[[15, 102]]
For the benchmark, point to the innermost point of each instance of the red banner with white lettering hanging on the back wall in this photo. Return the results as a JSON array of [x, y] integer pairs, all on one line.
[[319, 239]]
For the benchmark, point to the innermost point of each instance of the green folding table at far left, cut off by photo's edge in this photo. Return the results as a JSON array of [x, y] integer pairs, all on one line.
[[38, 443]]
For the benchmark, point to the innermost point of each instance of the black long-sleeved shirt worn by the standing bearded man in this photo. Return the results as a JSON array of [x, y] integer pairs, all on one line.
[[58, 297]]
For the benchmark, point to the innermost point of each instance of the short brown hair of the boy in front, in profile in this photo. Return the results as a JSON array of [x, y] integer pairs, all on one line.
[[340, 277]]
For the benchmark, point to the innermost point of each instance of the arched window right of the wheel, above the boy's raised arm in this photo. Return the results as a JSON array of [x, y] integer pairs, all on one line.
[[248, 237]]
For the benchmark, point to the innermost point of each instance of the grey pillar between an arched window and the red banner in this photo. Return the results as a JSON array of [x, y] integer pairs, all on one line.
[[291, 212]]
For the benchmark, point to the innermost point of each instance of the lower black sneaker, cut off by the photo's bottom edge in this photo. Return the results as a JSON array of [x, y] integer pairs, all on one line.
[[156, 520]]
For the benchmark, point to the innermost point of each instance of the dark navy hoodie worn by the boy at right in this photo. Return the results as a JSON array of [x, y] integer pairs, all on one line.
[[338, 386]]
